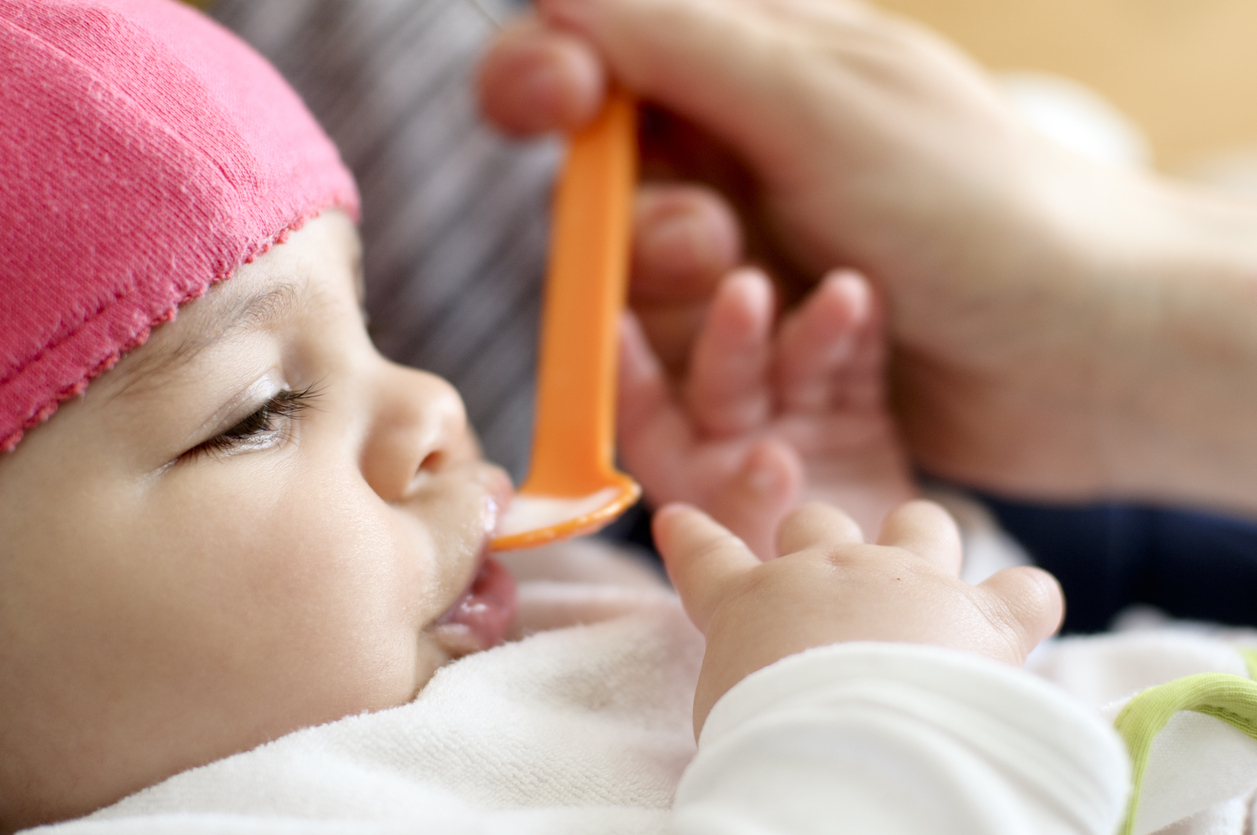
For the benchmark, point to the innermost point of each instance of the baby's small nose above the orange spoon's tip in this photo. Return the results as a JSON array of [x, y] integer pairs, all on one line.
[[418, 427]]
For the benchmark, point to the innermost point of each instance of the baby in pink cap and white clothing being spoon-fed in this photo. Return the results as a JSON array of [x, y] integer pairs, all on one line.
[[224, 517]]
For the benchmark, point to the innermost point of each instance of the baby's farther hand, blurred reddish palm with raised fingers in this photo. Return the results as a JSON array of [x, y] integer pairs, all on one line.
[[765, 421]]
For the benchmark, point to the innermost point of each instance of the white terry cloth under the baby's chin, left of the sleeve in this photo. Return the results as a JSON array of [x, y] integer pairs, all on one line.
[[594, 717]]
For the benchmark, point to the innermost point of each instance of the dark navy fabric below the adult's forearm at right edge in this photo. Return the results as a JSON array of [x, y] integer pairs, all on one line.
[[1191, 565]]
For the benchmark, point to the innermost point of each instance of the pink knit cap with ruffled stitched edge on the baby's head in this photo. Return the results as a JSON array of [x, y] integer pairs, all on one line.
[[145, 154]]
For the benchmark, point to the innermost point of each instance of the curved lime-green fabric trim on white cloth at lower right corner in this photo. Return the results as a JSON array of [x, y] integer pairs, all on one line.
[[1230, 699]]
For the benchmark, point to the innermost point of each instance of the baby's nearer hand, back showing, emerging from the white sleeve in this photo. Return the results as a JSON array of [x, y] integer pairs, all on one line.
[[832, 588]]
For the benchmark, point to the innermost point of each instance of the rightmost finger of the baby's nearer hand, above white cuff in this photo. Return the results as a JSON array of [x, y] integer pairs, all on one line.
[[1029, 604]]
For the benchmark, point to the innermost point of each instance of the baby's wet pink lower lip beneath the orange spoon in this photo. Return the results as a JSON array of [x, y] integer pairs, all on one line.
[[483, 616]]
